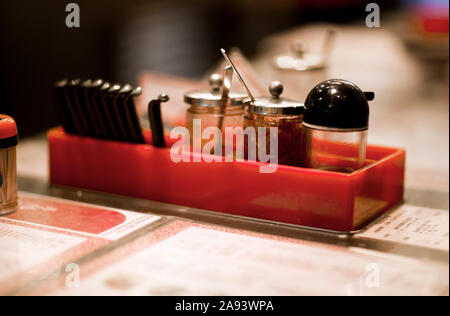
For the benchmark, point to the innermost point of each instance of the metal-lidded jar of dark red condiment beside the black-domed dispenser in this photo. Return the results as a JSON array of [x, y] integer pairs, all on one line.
[[275, 111]]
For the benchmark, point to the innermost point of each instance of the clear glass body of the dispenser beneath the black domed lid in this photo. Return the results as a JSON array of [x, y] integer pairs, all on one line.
[[340, 151]]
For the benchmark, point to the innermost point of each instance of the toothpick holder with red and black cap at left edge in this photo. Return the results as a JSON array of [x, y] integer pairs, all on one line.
[[8, 173]]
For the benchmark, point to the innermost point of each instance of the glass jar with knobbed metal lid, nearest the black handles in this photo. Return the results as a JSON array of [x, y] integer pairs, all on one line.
[[213, 109]]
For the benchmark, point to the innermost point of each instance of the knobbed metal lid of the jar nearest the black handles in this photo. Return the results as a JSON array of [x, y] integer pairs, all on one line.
[[213, 97]]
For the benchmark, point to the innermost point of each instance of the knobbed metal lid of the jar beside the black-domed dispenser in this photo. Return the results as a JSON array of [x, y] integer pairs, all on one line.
[[275, 105]]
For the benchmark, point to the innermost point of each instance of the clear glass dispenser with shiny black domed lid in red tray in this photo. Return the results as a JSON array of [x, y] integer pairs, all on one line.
[[335, 126]]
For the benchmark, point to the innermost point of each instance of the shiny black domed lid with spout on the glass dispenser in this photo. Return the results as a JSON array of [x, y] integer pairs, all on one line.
[[339, 105]]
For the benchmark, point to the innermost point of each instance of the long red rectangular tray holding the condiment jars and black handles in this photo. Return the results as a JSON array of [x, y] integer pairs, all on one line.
[[298, 196]]
